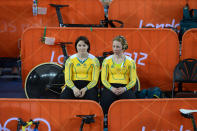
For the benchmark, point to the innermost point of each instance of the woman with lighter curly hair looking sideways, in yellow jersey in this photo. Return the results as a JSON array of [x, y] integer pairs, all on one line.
[[118, 75]]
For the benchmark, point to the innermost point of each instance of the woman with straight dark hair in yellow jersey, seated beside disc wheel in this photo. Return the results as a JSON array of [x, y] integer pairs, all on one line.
[[81, 73]]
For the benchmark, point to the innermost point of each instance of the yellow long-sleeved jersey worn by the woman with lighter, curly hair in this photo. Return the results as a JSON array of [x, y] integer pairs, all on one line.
[[124, 73]]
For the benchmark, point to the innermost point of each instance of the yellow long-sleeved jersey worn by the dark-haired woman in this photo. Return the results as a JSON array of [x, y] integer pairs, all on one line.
[[87, 70]]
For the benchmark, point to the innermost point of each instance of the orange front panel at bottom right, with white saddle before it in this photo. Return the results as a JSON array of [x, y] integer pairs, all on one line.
[[150, 114]]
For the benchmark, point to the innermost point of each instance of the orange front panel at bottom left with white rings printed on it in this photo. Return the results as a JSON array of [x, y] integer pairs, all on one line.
[[60, 115]]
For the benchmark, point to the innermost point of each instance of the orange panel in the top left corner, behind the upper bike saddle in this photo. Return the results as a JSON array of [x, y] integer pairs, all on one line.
[[17, 15]]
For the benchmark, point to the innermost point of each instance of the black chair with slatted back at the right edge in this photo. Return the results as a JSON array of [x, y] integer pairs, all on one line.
[[185, 72]]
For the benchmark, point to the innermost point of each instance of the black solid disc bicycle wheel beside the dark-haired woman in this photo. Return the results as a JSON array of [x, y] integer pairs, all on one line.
[[44, 81]]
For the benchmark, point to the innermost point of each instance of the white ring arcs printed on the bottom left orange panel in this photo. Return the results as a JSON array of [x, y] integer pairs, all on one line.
[[5, 128]]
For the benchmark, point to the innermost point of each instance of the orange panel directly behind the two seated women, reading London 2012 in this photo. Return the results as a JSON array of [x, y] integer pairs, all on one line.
[[156, 51]]
